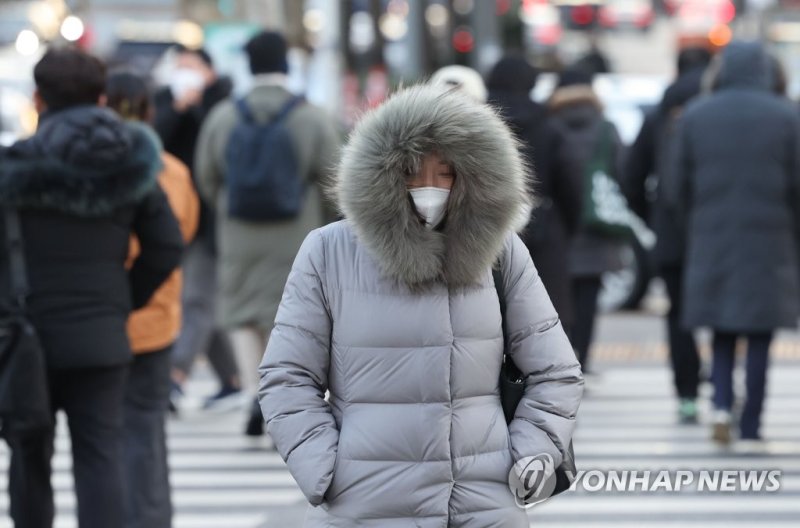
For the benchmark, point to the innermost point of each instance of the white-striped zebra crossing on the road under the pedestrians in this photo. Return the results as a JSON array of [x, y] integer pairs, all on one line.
[[627, 421]]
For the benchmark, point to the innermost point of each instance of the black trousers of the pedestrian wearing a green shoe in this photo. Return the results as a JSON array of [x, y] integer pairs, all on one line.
[[682, 348]]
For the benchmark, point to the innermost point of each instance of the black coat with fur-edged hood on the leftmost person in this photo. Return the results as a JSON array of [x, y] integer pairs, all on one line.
[[82, 185]]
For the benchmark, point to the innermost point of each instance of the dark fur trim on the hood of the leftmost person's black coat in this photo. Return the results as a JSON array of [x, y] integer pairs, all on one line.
[[35, 180]]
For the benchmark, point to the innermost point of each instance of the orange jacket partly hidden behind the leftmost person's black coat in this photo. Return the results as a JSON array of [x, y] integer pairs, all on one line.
[[156, 326]]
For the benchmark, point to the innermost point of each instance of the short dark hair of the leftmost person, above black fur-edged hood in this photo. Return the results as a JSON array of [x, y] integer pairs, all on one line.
[[68, 77]]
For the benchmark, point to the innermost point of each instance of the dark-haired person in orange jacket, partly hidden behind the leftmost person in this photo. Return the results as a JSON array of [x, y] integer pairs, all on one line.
[[152, 330]]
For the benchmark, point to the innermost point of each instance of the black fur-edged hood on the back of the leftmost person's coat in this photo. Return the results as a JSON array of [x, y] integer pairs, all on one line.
[[84, 161]]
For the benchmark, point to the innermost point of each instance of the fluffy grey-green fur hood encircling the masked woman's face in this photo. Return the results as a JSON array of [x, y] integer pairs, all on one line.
[[488, 195]]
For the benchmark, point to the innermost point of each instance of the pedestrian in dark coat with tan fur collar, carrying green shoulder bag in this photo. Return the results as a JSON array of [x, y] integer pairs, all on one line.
[[577, 114]]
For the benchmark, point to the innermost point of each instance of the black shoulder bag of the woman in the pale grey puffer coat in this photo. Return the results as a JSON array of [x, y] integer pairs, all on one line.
[[512, 389]]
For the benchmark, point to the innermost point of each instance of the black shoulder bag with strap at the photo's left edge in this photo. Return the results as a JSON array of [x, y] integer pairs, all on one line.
[[24, 394]]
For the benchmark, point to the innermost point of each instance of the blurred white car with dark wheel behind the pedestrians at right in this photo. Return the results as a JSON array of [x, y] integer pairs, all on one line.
[[626, 100]]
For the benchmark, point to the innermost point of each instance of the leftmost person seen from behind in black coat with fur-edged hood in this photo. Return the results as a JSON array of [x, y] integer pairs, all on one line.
[[82, 185]]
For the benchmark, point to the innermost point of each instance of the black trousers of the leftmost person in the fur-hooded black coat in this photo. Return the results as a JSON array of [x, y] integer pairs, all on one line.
[[92, 401]]
